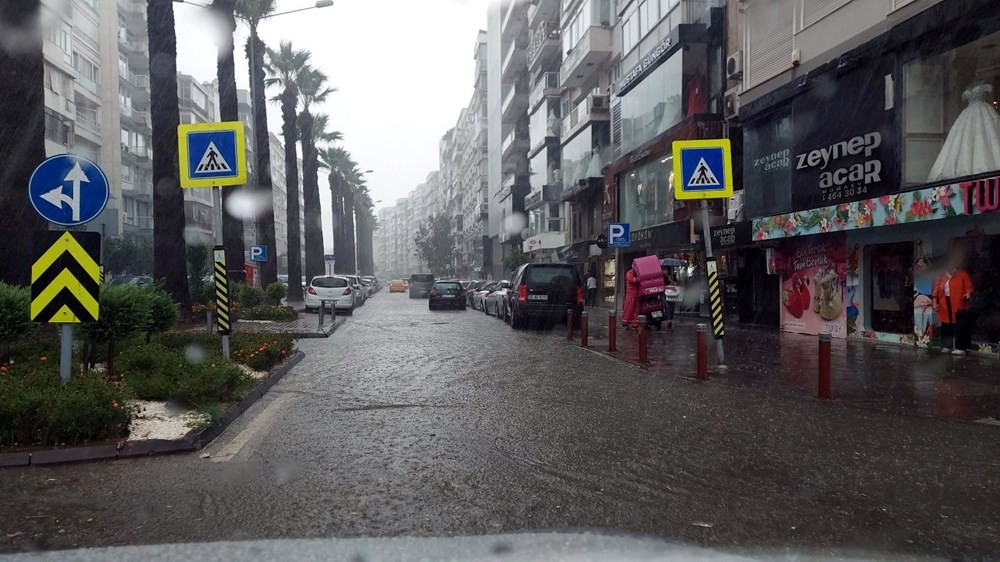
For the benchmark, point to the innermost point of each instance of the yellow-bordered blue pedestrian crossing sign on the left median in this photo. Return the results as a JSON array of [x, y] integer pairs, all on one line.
[[212, 154]]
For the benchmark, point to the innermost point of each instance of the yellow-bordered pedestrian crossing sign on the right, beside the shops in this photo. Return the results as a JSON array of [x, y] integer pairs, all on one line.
[[703, 169]]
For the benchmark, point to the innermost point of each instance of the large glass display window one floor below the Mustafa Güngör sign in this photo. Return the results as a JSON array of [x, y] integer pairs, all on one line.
[[647, 194]]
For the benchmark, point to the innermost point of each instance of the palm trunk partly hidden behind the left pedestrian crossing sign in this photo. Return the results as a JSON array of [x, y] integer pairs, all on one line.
[[232, 226]]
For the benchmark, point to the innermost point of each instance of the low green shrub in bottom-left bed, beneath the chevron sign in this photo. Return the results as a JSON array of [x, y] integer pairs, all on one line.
[[36, 408]]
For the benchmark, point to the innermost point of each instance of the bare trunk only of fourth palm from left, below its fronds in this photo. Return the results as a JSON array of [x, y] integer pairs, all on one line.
[[262, 153]]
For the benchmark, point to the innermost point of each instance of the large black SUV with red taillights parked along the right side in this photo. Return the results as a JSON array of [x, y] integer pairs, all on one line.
[[543, 292]]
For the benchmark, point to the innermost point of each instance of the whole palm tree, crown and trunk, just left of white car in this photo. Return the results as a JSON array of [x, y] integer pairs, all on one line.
[[285, 66]]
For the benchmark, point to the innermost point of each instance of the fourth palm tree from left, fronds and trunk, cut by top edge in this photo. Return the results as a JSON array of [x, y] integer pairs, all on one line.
[[253, 11]]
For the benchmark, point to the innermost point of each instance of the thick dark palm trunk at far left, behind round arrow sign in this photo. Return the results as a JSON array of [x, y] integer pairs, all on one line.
[[22, 137]]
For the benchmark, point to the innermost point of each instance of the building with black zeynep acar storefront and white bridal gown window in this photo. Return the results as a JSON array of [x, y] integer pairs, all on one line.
[[857, 118]]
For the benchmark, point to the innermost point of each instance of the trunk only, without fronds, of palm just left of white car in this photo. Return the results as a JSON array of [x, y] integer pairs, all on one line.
[[289, 98]]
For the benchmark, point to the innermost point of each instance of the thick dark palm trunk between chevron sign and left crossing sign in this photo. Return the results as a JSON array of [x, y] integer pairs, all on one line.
[[168, 201]]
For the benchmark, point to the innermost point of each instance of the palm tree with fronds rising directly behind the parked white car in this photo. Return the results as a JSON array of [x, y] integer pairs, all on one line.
[[312, 90]]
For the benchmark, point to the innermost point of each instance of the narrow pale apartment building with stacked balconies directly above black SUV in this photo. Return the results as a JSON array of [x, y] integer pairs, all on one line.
[[547, 224]]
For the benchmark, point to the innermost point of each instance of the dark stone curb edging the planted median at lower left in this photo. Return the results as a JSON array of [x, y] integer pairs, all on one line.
[[194, 440]]
